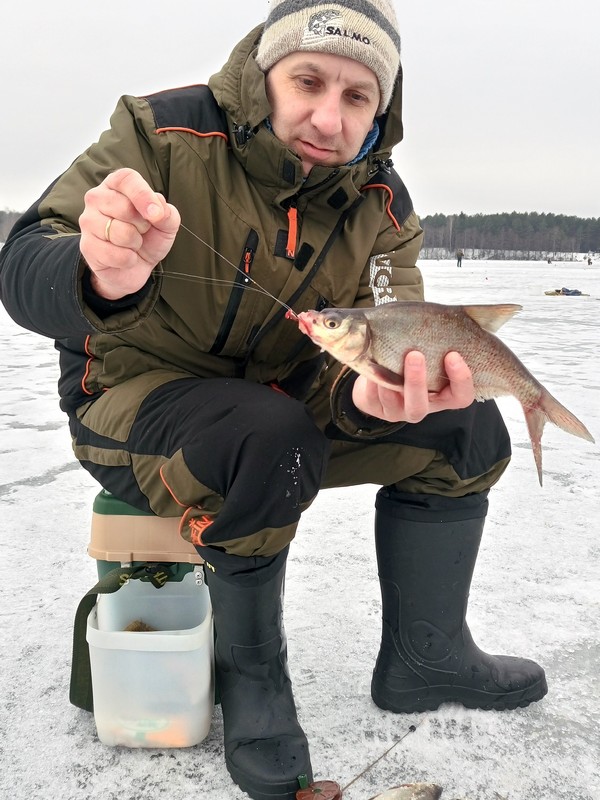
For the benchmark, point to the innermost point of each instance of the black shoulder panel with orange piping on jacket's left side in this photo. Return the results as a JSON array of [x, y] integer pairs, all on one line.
[[191, 107]]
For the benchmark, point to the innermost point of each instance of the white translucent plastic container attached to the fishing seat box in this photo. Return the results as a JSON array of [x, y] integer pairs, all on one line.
[[156, 688]]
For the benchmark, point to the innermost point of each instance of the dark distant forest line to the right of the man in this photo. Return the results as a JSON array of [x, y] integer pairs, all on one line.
[[517, 232]]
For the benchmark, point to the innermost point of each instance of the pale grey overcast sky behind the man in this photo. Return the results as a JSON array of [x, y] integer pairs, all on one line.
[[502, 97]]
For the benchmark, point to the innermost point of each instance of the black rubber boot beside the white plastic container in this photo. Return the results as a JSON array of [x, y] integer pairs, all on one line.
[[265, 748]]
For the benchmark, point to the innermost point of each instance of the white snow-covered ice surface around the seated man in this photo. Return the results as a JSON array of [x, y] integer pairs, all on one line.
[[536, 592]]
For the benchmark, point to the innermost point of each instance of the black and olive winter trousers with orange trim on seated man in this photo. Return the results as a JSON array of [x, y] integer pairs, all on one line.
[[239, 462]]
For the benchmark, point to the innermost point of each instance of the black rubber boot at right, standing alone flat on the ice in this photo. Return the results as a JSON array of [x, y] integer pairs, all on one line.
[[426, 552]]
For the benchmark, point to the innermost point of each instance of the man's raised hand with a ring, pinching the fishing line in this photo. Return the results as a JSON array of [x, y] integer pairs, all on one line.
[[126, 229]]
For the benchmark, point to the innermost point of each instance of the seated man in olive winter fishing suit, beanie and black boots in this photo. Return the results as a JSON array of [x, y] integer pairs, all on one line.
[[189, 395]]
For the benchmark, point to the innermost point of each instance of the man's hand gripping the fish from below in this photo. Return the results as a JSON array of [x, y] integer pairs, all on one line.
[[413, 402]]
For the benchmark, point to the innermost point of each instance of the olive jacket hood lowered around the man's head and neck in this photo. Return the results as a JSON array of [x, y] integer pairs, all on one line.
[[239, 89]]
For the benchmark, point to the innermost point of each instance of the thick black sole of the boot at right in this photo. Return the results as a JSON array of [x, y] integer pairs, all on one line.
[[431, 698]]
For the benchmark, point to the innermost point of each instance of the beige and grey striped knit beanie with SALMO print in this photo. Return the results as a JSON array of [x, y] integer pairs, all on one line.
[[365, 30]]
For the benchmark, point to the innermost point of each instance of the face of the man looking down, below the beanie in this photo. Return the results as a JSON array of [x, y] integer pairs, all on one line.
[[323, 106]]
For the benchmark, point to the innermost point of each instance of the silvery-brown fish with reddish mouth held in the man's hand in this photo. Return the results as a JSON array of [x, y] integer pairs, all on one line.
[[374, 342]]
